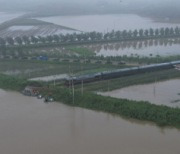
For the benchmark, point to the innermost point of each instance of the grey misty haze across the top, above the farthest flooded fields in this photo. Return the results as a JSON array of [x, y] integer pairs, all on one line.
[[90, 6]]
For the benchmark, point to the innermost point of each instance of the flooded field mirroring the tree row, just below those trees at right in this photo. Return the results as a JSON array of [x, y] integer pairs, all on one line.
[[146, 48]]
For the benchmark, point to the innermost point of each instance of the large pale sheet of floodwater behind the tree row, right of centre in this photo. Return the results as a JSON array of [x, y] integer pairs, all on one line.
[[105, 23]]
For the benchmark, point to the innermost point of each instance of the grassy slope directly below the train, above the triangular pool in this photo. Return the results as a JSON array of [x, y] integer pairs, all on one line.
[[112, 84]]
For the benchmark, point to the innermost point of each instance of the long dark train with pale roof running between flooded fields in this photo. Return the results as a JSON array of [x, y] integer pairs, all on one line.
[[119, 73]]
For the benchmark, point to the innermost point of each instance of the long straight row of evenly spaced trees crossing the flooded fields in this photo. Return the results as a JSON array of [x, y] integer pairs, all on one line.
[[92, 36]]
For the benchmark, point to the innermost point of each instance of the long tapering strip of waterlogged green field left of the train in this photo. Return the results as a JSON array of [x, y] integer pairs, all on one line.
[[35, 68]]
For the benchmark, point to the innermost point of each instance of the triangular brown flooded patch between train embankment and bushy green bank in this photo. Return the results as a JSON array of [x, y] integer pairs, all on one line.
[[160, 93]]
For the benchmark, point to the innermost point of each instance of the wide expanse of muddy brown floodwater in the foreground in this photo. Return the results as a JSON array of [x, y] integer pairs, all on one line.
[[29, 126]]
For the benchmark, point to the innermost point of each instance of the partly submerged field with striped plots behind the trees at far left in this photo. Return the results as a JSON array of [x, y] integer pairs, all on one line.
[[25, 26]]
